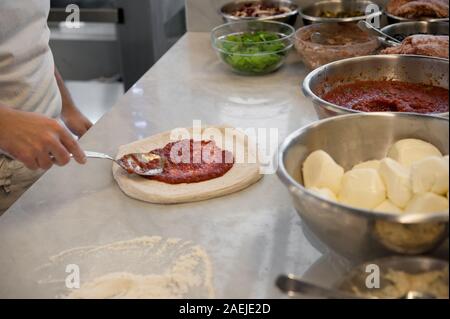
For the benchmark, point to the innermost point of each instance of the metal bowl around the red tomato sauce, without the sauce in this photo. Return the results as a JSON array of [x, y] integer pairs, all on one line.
[[406, 68]]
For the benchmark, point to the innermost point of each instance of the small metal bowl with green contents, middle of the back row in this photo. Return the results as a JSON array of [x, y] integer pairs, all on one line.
[[311, 14]]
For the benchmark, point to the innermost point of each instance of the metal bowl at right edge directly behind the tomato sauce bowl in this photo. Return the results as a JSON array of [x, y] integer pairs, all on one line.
[[406, 29]]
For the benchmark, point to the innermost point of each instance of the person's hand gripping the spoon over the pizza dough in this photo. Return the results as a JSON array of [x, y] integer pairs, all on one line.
[[37, 141]]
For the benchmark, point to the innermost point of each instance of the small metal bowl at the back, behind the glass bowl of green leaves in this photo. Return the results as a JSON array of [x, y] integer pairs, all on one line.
[[288, 18]]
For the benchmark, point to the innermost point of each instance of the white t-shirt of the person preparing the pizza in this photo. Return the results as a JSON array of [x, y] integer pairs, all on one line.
[[27, 80]]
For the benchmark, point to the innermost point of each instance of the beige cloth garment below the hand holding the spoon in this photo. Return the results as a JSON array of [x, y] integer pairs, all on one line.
[[15, 179]]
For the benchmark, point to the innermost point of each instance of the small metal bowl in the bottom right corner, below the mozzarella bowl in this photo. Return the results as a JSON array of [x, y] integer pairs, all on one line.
[[356, 279]]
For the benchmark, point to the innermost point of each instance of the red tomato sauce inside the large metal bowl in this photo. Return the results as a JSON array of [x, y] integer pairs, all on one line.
[[390, 96]]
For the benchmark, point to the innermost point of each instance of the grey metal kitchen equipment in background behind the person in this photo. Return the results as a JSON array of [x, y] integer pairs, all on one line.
[[118, 39]]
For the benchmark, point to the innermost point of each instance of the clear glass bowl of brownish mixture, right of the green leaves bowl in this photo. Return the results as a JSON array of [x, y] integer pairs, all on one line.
[[323, 43]]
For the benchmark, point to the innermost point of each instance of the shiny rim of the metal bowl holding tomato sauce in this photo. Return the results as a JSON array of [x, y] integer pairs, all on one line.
[[307, 91]]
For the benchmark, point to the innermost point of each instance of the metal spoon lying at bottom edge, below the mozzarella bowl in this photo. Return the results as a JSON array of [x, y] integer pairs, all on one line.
[[295, 286]]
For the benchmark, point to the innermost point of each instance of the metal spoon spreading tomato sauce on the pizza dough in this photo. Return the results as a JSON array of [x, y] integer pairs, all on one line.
[[132, 162]]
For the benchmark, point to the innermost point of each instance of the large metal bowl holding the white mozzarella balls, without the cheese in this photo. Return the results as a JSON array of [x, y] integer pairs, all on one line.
[[351, 139]]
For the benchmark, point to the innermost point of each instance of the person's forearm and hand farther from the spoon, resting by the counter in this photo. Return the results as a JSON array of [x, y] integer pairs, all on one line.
[[72, 117]]
